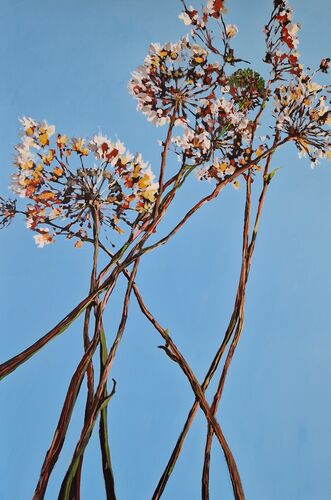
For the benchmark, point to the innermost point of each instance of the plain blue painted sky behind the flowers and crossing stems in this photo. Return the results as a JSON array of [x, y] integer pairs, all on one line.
[[69, 62]]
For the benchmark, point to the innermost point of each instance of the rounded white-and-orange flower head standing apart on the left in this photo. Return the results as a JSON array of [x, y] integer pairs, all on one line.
[[65, 179]]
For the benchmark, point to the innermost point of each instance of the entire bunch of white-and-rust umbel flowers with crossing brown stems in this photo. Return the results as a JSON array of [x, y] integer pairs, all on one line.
[[210, 103]]
